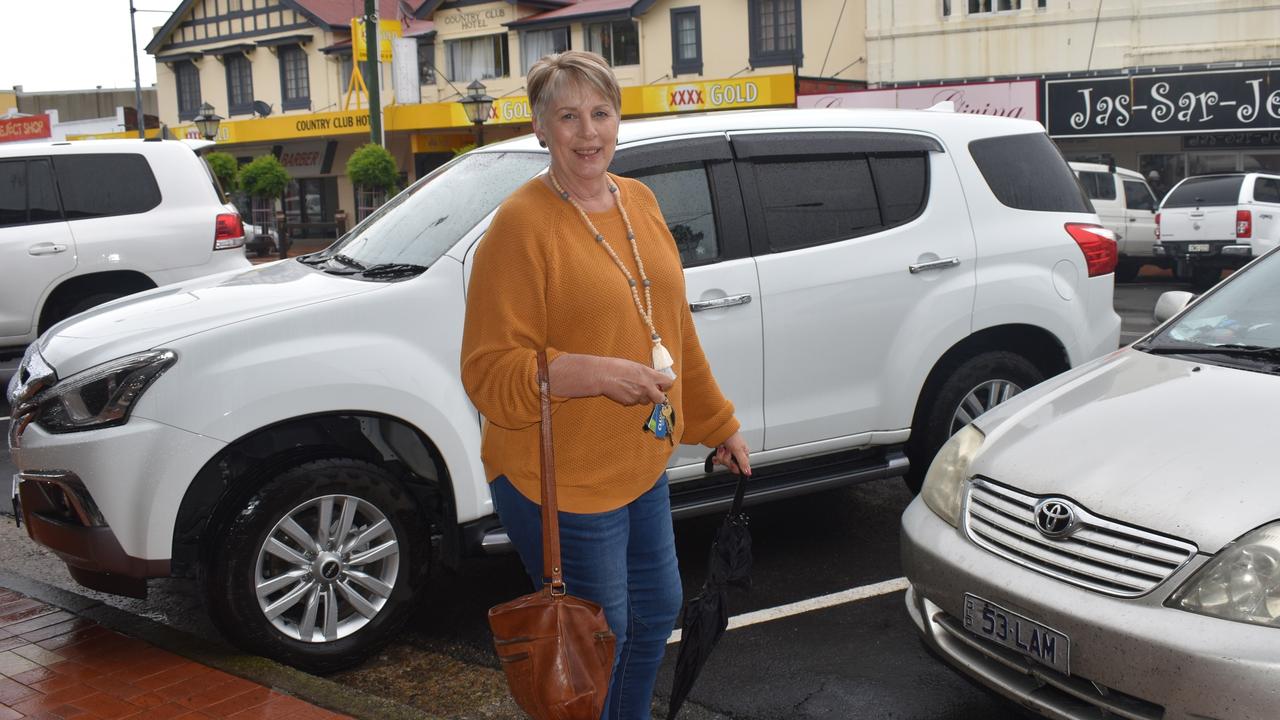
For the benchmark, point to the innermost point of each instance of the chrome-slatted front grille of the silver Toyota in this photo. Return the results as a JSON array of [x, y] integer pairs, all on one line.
[[1101, 555]]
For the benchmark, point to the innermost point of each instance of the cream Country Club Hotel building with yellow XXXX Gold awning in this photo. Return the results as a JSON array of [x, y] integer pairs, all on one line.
[[284, 78]]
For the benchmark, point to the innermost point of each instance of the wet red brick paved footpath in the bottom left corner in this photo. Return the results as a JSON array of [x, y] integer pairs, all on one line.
[[56, 666]]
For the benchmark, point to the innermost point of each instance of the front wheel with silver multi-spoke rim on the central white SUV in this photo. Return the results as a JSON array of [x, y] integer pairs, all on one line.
[[271, 544]]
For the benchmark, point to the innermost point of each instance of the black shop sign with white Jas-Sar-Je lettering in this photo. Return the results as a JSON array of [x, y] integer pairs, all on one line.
[[1163, 104]]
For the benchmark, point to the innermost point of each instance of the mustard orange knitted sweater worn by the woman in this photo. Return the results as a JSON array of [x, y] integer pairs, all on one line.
[[541, 281]]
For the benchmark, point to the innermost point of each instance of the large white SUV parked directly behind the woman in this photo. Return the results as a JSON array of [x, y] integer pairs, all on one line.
[[865, 282]]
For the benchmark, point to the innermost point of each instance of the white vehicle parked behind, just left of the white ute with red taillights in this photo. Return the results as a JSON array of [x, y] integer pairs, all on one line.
[[1127, 207]]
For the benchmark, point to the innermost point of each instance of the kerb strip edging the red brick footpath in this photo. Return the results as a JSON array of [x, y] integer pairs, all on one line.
[[220, 655]]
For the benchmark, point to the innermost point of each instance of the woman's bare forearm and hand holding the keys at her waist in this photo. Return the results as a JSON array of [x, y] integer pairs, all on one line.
[[621, 381]]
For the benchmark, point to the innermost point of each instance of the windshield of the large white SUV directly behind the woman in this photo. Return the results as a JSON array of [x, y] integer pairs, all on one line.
[[426, 221]]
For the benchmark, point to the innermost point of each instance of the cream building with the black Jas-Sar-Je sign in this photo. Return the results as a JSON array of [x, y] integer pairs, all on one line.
[[1172, 88]]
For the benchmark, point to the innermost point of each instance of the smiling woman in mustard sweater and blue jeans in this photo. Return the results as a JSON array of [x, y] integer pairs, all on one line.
[[580, 263]]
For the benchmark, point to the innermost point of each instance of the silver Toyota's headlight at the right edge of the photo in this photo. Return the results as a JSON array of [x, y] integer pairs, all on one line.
[[1241, 584]]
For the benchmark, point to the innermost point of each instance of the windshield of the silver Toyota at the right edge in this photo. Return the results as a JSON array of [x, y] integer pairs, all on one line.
[[1238, 325]]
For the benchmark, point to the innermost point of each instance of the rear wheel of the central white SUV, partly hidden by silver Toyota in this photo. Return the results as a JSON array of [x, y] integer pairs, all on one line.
[[970, 389]]
